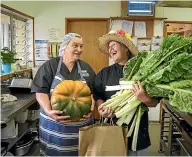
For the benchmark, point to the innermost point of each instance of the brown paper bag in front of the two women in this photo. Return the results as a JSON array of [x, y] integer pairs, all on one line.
[[102, 140]]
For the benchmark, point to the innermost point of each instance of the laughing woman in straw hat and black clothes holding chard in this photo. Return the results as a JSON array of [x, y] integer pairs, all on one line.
[[120, 48]]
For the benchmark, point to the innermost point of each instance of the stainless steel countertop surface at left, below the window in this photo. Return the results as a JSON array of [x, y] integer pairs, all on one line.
[[10, 109]]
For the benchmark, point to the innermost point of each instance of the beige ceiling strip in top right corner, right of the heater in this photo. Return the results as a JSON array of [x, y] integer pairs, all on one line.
[[179, 4]]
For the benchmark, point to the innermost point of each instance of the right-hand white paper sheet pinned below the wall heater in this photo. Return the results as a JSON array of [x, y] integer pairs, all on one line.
[[140, 29]]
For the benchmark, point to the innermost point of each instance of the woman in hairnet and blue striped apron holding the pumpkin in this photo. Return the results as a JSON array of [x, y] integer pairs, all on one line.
[[58, 135]]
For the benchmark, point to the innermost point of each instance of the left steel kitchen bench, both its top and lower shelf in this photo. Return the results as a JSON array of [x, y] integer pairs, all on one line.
[[11, 109]]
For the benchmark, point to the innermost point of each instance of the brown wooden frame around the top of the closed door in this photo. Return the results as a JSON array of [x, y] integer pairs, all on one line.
[[67, 20]]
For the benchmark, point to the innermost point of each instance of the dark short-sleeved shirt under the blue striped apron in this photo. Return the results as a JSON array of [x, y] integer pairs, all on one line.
[[46, 73]]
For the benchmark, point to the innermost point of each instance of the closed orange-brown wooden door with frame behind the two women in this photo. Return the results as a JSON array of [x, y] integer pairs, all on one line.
[[90, 30]]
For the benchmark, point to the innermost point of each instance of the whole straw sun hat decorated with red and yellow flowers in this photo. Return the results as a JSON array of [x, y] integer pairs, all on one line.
[[119, 36]]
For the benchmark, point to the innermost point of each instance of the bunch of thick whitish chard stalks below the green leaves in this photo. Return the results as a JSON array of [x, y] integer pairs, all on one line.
[[126, 107]]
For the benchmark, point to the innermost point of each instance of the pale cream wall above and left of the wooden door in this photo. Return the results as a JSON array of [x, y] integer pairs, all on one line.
[[54, 17]]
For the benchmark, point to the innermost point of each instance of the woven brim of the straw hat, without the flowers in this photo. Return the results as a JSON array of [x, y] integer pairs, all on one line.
[[107, 38]]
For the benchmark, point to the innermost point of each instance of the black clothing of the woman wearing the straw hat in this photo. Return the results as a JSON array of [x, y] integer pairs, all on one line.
[[110, 76]]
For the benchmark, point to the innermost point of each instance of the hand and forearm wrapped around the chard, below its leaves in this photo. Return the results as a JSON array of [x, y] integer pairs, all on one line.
[[141, 95]]
